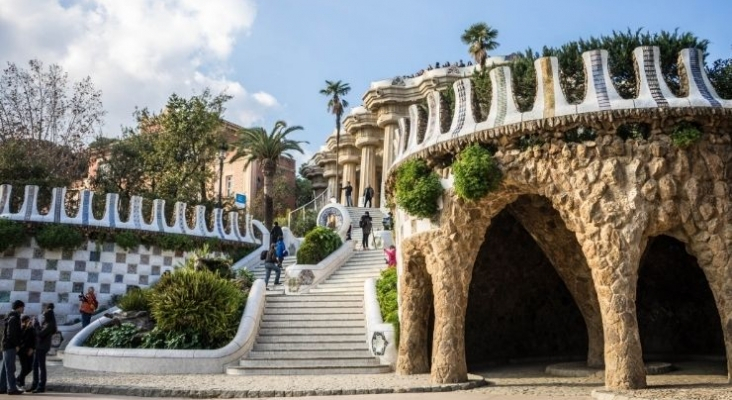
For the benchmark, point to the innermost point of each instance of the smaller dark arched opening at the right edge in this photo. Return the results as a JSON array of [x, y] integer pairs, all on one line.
[[677, 315]]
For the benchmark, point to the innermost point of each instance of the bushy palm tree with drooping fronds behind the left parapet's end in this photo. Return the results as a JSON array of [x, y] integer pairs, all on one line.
[[255, 144]]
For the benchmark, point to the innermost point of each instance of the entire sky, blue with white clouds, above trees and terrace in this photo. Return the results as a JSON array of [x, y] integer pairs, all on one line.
[[274, 55]]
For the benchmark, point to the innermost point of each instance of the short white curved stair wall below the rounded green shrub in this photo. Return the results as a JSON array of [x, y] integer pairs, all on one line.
[[300, 278]]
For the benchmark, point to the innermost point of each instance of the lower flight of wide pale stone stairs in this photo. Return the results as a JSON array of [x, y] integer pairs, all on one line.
[[322, 332]]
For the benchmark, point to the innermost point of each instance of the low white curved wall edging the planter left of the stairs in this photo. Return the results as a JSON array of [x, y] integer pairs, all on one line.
[[163, 361]]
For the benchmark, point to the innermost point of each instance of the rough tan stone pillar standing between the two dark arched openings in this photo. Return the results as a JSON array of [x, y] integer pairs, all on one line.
[[613, 255]]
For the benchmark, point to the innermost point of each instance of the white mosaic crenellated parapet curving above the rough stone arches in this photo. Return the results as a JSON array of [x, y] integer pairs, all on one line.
[[550, 101]]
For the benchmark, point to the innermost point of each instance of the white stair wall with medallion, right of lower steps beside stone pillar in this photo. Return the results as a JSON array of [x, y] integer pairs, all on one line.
[[380, 336]]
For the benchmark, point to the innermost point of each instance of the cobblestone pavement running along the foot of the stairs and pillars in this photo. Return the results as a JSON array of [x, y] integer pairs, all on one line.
[[692, 381]]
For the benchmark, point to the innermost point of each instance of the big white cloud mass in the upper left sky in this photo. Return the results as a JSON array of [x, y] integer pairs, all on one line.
[[137, 52]]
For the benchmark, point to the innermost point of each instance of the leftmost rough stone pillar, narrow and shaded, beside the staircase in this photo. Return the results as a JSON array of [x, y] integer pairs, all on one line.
[[415, 306]]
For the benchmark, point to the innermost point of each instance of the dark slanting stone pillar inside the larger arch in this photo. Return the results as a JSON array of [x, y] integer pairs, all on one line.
[[560, 246]]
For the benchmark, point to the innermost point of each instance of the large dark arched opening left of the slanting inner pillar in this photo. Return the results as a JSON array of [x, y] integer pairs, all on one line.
[[518, 306]]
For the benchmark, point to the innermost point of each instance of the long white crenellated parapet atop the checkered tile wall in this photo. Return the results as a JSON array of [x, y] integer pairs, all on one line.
[[56, 213]]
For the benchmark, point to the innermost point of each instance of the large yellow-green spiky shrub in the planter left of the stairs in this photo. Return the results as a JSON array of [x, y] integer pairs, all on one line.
[[198, 301]]
